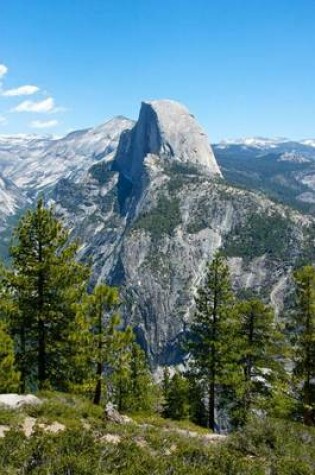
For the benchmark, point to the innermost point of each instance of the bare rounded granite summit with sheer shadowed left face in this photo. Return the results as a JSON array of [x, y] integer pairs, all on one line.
[[165, 129]]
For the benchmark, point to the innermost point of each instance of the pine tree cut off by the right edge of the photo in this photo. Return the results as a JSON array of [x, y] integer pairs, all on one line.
[[303, 340]]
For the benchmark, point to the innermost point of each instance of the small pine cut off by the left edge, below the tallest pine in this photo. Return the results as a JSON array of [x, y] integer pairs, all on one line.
[[9, 377]]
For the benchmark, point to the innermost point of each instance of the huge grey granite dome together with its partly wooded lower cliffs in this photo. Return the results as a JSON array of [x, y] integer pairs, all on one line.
[[152, 218]]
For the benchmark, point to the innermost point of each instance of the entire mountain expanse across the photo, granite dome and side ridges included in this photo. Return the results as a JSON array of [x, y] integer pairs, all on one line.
[[151, 201]]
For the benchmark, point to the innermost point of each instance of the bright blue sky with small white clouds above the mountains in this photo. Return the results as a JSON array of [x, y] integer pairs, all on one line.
[[243, 68]]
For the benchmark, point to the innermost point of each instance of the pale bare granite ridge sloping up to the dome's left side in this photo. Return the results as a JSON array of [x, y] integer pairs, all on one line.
[[35, 163]]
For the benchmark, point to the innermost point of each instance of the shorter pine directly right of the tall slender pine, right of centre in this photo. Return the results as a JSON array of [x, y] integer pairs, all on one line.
[[261, 344]]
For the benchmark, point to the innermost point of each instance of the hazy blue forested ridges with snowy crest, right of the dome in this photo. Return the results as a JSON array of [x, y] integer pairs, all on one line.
[[283, 169]]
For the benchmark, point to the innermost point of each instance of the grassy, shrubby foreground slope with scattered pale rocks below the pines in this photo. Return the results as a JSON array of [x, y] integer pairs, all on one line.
[[150, 445]]
